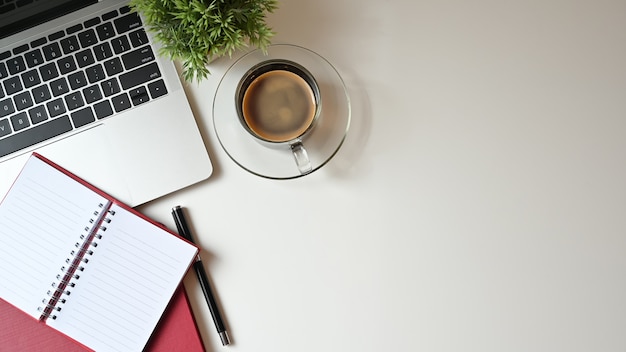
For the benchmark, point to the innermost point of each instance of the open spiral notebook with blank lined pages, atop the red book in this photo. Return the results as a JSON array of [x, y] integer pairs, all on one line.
[[83, 263]]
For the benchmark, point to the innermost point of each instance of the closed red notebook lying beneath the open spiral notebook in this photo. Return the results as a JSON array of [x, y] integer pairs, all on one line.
[[177, 331]]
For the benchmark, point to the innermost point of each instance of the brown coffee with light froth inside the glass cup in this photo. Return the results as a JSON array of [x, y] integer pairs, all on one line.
[[278, 106]]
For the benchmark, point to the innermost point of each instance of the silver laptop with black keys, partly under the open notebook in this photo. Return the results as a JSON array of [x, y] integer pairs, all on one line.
[[81, 83]]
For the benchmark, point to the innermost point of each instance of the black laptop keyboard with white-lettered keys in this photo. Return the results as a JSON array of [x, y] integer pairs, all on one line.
[[75, 77]]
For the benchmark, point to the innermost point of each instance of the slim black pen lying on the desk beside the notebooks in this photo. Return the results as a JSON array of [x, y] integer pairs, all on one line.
[[185, 231]]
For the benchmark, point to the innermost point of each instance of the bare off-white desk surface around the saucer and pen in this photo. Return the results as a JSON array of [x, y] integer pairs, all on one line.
[[479, 201]]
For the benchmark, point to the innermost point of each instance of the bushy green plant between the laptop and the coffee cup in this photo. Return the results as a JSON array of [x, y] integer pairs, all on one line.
[[196, 31]]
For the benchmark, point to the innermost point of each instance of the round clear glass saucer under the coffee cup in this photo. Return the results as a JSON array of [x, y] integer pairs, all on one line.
[[322, 143]]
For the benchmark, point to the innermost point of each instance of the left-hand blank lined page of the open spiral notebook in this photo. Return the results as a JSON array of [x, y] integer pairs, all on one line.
[[41, 219]]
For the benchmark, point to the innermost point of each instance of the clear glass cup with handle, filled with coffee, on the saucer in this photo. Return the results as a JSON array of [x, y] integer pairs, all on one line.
[[278, 103]]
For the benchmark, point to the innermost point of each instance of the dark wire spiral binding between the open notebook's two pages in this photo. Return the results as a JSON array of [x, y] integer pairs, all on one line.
[[76, 262]]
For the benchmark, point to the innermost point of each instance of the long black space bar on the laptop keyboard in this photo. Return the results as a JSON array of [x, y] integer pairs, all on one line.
[[37, 134]]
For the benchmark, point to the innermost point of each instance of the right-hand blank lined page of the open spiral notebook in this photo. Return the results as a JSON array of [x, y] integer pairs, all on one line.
[[126, 286]]
